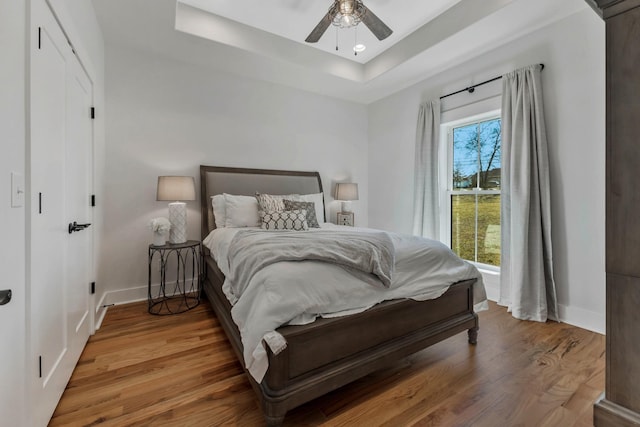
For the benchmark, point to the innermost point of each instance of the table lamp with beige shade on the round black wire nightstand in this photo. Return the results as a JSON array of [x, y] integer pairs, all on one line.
[[178, 189]]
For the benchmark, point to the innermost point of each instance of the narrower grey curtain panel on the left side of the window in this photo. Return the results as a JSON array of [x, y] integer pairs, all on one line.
[[426, 212]]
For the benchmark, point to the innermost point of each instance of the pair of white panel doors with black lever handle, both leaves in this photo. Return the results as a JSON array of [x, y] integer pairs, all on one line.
[[60, 171]]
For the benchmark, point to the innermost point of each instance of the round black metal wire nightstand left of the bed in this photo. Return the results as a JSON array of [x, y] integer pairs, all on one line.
[[179, 267]]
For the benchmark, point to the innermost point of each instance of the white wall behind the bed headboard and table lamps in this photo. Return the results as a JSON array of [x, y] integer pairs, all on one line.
[[166, 117]]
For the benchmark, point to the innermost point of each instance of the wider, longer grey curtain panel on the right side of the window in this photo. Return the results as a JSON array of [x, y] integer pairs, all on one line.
[[526, 273]]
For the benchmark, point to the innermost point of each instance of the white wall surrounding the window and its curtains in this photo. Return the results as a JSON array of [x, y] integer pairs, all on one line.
[[573, 51]]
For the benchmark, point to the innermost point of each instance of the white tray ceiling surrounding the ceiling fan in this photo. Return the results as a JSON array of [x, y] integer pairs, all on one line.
[[429, 37]]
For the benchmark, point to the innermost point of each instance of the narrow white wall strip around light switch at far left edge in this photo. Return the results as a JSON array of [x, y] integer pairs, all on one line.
[[12, 251]]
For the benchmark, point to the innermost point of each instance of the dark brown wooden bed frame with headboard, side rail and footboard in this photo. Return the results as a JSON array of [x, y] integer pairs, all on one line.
[[328, 353]]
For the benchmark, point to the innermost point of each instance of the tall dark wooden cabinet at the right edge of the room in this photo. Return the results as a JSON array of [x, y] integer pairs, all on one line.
[[620, 404]]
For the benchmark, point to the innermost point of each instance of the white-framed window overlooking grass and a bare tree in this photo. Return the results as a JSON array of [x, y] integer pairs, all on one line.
[[472, 194]]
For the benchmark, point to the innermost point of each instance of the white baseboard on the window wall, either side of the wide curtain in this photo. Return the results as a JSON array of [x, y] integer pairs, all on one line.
[[574, 316]]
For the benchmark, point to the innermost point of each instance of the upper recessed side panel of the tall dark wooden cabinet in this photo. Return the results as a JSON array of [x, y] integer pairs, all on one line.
[[623, 143]]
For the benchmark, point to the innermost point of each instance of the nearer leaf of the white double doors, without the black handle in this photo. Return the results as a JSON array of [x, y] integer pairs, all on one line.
[[47, 296]]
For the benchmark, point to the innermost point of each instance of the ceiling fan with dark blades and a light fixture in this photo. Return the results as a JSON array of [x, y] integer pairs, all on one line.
[[346, 14]]
